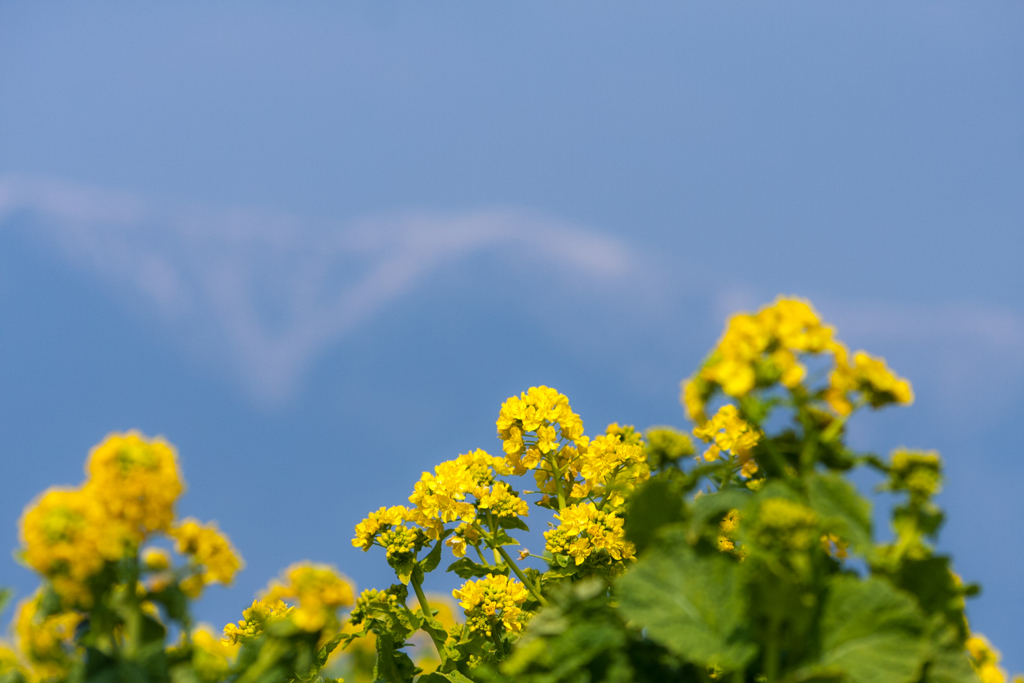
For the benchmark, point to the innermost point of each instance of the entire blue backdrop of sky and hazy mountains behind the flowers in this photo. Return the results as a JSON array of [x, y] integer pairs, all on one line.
[[318, 245]]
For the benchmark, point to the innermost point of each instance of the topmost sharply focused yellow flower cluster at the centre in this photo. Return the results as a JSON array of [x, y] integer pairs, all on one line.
[[545, 413]]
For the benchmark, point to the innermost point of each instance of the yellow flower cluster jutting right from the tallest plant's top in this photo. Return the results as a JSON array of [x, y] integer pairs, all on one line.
[[868, 375]]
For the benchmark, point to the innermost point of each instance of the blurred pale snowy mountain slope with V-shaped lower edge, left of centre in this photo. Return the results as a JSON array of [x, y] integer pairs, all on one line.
[[272, 292]]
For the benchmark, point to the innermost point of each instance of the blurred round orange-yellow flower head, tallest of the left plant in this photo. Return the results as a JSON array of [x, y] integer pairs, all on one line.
[[137, 480]]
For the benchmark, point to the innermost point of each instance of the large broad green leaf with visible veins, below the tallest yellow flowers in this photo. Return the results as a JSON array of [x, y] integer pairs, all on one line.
[[692, 605]]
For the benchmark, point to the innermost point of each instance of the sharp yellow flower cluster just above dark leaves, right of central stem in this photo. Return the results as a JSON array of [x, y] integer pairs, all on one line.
[[585, 532]]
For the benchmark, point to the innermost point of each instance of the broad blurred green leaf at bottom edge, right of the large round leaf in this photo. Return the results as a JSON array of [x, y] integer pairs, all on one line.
[[873, 632]]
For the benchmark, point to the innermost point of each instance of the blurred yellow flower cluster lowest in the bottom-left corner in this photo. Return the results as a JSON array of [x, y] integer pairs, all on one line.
[[48, 643]]
